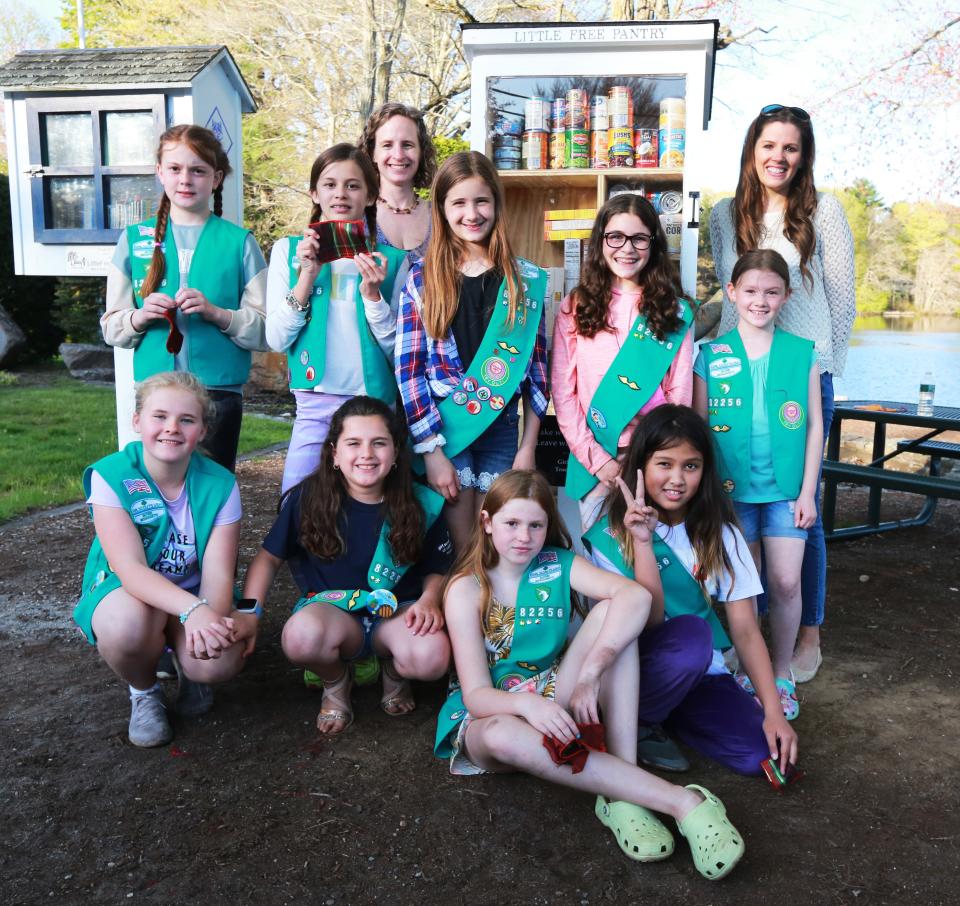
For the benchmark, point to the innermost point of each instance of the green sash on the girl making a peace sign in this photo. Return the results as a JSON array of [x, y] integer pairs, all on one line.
[[682, 594]]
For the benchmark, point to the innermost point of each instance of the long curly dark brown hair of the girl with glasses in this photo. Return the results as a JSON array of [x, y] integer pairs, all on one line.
[[658, 280]]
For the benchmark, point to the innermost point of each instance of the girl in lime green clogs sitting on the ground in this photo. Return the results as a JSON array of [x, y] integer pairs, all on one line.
[[523, 699]]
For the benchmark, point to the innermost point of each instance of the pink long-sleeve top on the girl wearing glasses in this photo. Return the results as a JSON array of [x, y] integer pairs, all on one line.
[[579, 364]]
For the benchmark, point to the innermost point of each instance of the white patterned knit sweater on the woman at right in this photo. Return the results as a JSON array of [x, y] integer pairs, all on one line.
[[822, 312]]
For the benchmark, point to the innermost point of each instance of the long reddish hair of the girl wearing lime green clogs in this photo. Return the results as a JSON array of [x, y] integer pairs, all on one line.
[[480, 555]]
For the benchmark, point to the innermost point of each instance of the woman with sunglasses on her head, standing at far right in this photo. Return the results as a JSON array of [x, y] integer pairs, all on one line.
[[777, 206]]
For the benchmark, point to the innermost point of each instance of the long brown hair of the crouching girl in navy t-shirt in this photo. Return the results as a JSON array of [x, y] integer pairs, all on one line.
[[324, 492]]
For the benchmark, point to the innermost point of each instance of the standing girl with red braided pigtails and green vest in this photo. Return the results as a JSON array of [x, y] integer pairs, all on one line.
[[186, 290]]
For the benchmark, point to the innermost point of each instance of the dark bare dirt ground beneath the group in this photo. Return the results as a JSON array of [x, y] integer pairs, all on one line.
[[249, 805]]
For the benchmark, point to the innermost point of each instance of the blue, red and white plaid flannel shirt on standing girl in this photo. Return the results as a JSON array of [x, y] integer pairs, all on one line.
[[429, 370]]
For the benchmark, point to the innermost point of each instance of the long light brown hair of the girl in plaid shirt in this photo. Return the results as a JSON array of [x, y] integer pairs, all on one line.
[[441, 264]]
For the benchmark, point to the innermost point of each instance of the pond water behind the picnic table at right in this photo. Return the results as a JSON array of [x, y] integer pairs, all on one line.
[[889, 357]]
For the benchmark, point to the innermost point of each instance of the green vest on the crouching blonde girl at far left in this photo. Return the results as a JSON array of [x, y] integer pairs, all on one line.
[[209, 486]]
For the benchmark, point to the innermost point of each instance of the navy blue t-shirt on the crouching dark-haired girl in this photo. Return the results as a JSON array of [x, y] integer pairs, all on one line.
[[360, 525]]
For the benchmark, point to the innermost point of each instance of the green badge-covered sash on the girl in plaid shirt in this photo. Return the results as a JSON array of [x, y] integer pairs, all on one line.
[[492, 378]]
